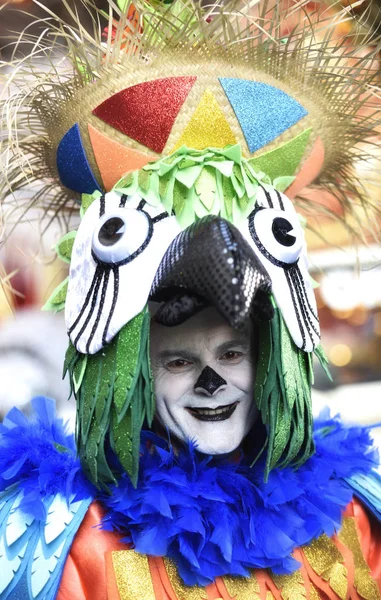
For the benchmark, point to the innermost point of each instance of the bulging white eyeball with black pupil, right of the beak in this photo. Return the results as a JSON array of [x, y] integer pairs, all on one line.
[[278, 235]]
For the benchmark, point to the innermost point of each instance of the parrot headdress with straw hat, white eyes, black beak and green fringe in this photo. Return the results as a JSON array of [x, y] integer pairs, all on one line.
[[181, 127]]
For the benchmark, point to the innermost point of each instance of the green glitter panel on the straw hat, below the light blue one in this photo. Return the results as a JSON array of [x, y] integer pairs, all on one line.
[[284, 160]]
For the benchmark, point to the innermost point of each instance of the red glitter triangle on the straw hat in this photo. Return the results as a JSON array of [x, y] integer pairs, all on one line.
[[146, 111]]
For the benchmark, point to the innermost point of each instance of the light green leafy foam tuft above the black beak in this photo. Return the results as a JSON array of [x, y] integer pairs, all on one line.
[[195, 183]]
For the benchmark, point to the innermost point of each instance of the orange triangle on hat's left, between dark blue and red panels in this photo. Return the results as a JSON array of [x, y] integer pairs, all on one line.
[[113, 159]]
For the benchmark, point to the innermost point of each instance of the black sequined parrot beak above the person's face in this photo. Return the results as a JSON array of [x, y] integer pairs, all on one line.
[[210, 263]]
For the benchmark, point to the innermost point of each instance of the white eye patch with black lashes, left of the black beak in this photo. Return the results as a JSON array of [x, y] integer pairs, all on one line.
[[117, 250]]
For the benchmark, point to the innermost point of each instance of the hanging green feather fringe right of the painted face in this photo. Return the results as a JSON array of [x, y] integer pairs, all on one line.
[[283, 396]]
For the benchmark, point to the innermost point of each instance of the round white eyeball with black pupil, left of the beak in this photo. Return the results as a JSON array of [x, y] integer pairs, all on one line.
[[121, 235]]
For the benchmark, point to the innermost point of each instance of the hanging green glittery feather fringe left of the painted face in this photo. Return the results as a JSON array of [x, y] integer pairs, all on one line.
[[114, 394]]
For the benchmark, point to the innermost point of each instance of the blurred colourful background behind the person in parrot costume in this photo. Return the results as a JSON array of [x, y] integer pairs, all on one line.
[[347, 276]]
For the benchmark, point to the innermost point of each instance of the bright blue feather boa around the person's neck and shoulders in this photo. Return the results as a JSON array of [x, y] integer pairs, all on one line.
[[213, 518]]
